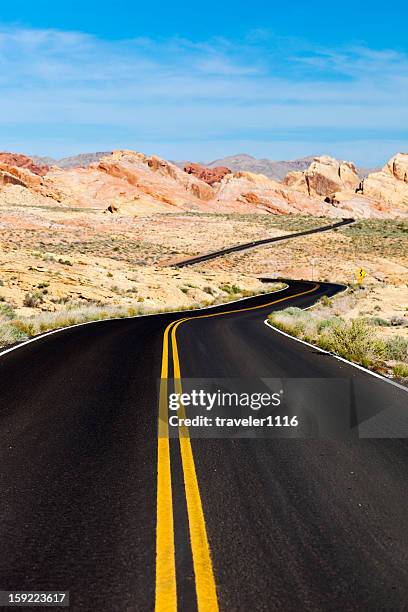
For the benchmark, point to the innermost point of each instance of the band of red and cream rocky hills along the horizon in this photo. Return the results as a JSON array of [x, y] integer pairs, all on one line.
[[132, 183]]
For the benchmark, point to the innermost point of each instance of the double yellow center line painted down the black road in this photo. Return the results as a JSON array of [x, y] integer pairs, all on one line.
[[166, 582]]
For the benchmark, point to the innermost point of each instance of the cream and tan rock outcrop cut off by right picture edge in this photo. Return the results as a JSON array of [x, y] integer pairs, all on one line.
[[390, 185]]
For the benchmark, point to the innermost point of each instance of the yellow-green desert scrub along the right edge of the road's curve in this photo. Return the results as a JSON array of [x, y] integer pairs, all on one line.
[[354, 340]]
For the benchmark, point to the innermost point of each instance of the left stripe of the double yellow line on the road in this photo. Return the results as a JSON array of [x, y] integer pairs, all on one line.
[[166, 586]]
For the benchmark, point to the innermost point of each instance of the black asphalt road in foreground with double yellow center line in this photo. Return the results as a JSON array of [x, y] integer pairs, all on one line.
[[278, 524]]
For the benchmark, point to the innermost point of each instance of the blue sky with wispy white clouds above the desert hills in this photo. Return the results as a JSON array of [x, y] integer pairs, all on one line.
[[204, 80]]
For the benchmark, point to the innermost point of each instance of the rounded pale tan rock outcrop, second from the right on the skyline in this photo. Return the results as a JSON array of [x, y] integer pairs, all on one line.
[[324, 177]]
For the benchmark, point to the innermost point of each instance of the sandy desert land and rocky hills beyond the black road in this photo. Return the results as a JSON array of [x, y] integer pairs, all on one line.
[[99, 238]]
